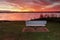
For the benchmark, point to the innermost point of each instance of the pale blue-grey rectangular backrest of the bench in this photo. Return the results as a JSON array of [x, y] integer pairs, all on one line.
[[36, 23]]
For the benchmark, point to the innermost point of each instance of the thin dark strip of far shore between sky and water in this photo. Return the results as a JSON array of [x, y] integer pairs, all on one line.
[[30, 12]]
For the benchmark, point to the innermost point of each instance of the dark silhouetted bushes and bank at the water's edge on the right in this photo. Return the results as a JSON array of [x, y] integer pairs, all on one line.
[[51, 19]]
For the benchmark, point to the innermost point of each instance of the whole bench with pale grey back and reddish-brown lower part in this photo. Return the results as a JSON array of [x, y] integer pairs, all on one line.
[[35, 26]]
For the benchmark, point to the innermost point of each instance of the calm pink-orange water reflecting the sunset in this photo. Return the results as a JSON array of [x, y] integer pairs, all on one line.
[[24, 16]]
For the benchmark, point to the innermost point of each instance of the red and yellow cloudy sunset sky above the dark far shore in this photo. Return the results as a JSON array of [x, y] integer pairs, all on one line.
[[30, 5]]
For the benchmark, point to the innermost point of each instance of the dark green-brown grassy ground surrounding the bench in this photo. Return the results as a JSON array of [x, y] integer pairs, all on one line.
[[13, 31]]
